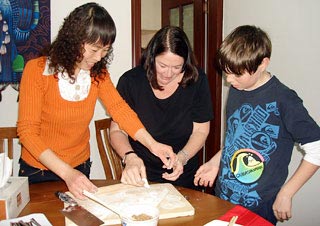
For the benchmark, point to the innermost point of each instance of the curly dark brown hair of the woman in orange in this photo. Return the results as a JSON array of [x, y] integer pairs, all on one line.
[[89, 23]]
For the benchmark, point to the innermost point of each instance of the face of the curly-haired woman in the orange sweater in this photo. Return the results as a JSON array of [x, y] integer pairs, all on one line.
[[93, 53]]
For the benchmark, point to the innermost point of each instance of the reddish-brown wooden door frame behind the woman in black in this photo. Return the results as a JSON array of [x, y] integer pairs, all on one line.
[[214, 8]]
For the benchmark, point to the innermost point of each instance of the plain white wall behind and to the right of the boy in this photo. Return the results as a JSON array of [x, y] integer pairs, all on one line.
[[294, 29]]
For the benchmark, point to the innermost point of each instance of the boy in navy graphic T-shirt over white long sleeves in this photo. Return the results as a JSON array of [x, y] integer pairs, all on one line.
[[265, 119]]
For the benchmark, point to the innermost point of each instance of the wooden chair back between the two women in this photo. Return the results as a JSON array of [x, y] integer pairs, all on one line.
[[110, 159]]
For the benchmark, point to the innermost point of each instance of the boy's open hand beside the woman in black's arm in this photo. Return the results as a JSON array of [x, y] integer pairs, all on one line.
[[206, 175]]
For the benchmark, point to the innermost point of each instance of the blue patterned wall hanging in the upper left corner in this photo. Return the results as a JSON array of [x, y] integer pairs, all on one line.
[[24, 32]]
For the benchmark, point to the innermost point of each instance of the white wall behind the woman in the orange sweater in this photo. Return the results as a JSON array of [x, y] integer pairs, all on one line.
[[121, 13]]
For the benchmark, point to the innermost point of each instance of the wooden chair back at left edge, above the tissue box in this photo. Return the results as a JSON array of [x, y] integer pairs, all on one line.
[[7, 135]]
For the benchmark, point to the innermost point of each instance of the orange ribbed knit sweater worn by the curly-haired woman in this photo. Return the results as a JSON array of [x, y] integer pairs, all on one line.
[[46, 120]]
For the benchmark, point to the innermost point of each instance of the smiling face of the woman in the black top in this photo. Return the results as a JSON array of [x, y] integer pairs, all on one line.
[[168, 67]]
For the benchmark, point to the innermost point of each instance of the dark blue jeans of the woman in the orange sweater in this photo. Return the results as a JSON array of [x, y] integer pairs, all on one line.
[[36, 175]]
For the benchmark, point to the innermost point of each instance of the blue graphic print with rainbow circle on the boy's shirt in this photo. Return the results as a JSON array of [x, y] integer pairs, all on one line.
[[250, 141]]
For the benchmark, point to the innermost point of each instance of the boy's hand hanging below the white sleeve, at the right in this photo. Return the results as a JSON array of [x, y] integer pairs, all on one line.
[[282, 207]]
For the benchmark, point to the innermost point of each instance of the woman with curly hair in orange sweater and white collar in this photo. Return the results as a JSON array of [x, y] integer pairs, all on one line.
[[58, 93]]
